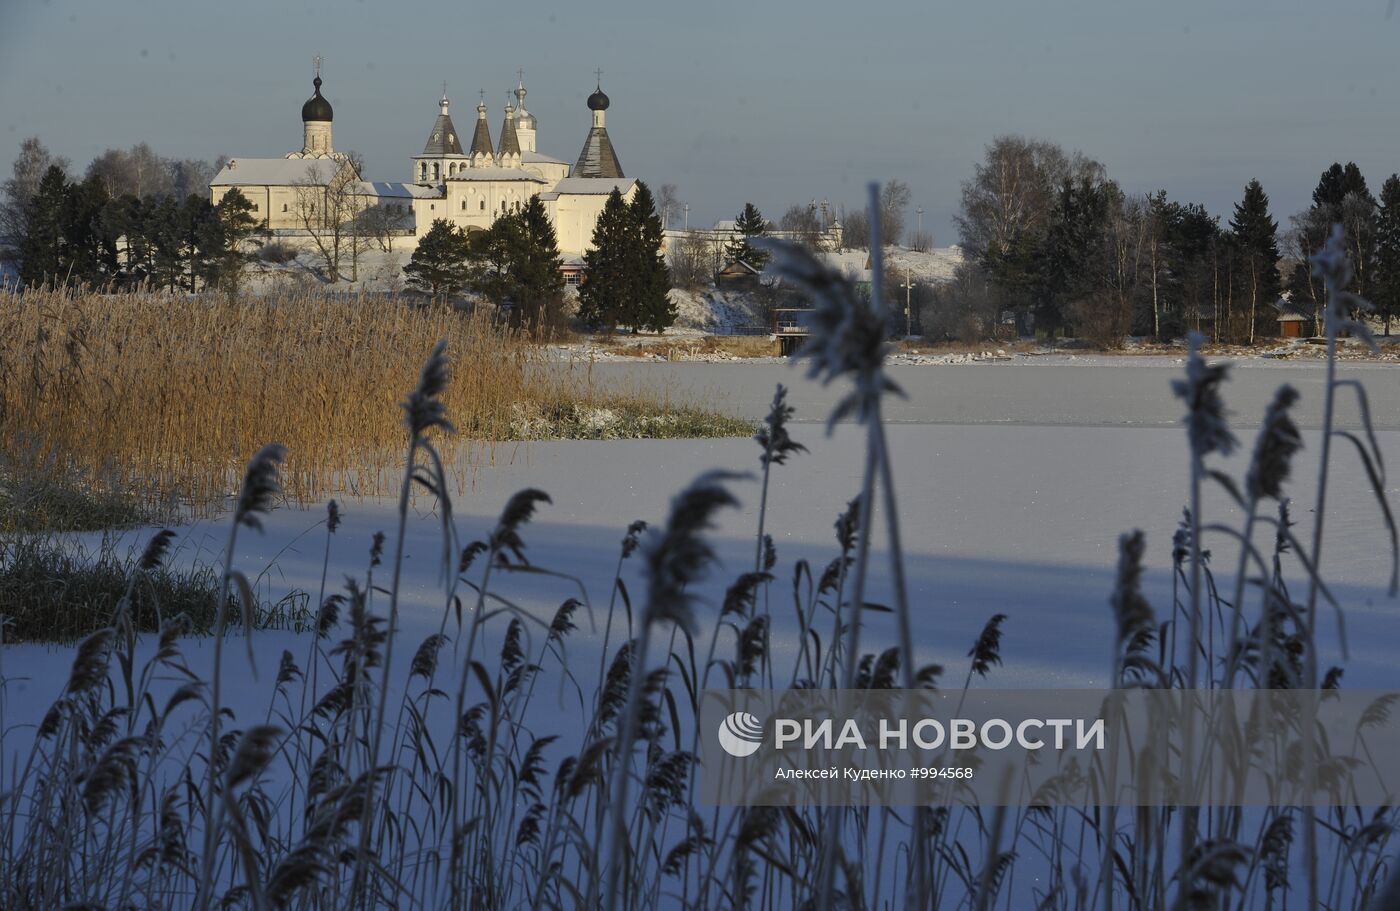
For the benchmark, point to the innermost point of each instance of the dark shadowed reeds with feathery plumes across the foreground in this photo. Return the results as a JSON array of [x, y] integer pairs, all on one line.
[[442, 773]]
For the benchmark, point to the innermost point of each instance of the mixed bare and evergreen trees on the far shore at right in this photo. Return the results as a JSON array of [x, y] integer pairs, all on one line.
[[1059, 247]]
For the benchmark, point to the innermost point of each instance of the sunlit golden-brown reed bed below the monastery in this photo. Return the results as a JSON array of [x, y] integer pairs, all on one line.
[[167, 394]]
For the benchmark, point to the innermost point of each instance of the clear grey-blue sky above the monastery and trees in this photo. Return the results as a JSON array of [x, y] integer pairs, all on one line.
[[775, 103]]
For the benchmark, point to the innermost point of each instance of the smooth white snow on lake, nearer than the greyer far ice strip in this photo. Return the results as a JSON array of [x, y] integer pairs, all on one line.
[[1014, 520]]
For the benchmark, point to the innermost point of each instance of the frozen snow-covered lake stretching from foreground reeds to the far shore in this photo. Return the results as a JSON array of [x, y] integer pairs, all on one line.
[[1014, 483]]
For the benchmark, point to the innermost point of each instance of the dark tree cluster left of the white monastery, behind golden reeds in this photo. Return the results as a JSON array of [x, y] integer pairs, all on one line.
[[134, 219]]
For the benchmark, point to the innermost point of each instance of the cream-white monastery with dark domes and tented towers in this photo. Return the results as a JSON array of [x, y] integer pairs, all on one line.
[[468, 185]]
